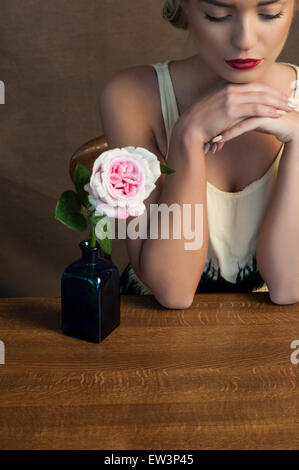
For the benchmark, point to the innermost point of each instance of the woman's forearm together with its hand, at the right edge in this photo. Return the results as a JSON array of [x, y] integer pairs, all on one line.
[[278, 243]]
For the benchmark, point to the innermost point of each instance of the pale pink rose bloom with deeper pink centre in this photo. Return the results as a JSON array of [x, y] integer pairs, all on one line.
[[121, 180]]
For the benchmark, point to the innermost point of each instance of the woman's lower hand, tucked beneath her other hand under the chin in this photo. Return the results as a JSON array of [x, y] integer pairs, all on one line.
[[285, 129]]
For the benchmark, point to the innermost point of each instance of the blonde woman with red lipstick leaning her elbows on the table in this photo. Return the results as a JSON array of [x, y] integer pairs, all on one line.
[[245, 245]]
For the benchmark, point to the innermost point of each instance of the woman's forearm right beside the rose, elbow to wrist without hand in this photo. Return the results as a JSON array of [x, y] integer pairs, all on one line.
[[170, 270]]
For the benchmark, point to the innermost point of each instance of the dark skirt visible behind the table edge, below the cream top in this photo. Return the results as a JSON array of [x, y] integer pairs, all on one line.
[[131, 284]]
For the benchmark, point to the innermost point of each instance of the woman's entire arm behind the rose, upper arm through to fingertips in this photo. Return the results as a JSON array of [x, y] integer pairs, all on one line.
[[171, 271]]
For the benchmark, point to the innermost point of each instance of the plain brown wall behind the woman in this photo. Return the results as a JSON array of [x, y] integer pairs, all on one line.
[[55, 56]]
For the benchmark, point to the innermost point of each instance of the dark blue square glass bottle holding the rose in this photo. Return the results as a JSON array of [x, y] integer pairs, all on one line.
[[90, 296]]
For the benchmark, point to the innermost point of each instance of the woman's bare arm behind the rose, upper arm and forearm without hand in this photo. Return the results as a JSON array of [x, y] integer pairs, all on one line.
[[169, 270]]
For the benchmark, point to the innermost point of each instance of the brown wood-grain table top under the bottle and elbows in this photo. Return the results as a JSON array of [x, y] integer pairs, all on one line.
[[218, 375]]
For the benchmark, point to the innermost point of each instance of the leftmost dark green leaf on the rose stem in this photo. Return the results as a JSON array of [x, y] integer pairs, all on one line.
[[68, 211]]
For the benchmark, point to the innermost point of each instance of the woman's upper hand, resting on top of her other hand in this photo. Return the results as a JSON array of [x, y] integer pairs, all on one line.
[[228, 105]]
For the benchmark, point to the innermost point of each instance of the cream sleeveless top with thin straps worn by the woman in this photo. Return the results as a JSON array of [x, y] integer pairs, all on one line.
[[234, 219]]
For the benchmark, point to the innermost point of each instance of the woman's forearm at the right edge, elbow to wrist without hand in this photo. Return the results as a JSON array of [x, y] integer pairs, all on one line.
[[278, 244]]
